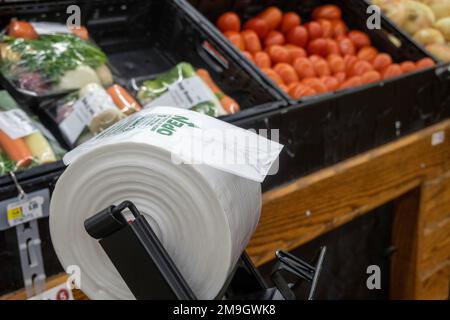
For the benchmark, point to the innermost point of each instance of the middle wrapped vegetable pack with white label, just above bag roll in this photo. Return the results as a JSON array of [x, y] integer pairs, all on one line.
[[87, 112]]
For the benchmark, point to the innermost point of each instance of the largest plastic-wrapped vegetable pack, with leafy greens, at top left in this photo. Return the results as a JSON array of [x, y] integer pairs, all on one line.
[[52, 61]]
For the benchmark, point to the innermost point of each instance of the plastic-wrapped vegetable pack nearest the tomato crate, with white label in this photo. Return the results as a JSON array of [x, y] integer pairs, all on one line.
[[187, 88]]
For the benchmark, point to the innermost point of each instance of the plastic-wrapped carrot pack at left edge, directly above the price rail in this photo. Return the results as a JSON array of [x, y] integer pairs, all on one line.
[[24, 142]]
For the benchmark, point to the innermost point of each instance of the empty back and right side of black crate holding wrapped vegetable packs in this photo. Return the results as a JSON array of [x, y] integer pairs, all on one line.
[[144, 38]]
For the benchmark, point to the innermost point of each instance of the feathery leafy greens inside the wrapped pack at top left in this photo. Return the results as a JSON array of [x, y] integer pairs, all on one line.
[[53, 55]]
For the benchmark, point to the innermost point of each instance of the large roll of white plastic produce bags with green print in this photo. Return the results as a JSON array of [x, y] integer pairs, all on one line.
[[203, 212]]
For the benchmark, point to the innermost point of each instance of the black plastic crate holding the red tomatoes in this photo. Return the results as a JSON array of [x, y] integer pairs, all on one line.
[[323, 130]]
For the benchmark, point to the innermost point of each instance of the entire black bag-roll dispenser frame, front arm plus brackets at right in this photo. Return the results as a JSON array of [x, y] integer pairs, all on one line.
[[150, 273]]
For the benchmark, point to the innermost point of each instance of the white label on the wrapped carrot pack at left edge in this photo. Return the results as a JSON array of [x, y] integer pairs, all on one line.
[[16, 124]]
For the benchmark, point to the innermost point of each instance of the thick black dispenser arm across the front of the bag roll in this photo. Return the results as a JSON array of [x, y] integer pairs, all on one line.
[[138, 255]]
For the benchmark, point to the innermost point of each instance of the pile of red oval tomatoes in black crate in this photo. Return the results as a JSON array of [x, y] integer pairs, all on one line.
[[315, 57]]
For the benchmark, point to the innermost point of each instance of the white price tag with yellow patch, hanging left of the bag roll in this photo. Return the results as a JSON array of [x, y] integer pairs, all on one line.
[[24, 210]]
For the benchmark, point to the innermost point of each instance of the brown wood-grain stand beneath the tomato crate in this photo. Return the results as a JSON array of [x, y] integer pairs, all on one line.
[[413, 171]]
